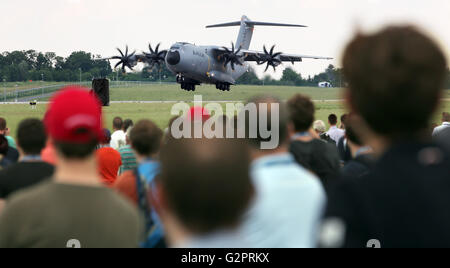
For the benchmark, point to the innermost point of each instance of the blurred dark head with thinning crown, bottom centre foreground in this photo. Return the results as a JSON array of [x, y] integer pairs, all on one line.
[[204, 185]]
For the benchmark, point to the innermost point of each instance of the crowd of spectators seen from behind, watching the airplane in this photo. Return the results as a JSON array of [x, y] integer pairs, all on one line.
[[376, 172]]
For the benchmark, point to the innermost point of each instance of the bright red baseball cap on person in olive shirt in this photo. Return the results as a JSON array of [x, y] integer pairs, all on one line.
[[74, 116]]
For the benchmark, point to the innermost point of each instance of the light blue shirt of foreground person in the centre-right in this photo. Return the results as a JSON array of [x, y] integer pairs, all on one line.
[[287, 207]]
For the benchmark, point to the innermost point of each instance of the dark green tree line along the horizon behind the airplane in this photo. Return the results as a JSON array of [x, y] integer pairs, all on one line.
[[32, 65]]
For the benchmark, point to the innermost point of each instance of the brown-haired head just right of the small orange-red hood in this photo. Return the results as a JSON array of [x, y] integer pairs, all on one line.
[[145, 138]]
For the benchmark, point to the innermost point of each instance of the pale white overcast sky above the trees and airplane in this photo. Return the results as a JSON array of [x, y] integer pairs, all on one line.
[[99, 26]]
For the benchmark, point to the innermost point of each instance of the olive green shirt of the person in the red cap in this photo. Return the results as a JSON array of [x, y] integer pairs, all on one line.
[[50, 214]]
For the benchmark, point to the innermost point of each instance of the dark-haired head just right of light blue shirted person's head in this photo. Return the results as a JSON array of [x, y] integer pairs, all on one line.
[[301, 112]]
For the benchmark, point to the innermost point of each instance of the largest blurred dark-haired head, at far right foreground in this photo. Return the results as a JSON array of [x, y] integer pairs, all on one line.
[[398, 72]]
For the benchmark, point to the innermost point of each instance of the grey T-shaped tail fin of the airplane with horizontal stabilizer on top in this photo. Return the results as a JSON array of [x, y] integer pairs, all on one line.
[[246, 29]]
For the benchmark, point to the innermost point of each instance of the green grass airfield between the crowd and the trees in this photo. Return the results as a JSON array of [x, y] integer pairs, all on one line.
[[160, 112]]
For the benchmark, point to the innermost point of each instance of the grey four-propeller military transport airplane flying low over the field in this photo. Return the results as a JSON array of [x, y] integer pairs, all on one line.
[[221, 66]]
